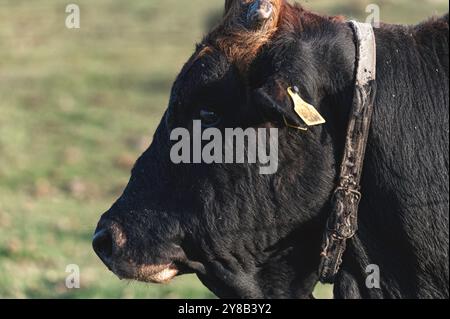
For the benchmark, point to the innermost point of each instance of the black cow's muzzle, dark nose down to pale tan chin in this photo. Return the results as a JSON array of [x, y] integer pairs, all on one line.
[[109, 243]]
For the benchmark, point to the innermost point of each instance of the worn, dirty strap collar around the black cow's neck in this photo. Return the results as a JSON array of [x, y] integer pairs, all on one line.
[[342, 224]]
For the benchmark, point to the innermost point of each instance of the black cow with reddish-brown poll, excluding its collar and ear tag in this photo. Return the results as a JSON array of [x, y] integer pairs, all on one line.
[[249, 235]]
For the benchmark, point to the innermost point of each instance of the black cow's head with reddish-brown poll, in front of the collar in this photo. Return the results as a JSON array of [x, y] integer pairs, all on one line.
[[245, 234]]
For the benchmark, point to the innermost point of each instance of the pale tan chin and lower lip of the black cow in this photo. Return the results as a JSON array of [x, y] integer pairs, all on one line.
[[157, 274]]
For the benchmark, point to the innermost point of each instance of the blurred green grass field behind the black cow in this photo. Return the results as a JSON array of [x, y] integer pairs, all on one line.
[[77, 107]]
